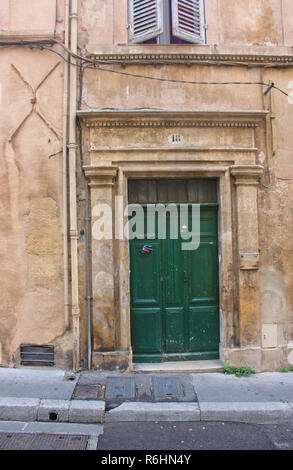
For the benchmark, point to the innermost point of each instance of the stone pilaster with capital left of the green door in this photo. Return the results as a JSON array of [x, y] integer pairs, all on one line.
[[101, 182]]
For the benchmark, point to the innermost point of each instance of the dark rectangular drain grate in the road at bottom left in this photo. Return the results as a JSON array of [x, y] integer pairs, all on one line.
[[26, 441]]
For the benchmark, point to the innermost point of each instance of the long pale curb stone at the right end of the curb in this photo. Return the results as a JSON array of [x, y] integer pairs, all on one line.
[[246, 412]]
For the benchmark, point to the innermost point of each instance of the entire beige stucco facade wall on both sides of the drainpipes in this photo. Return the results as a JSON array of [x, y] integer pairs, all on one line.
[[31, 246]]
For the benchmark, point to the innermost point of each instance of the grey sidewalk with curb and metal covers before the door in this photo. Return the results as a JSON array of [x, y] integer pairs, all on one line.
[[91, 397]]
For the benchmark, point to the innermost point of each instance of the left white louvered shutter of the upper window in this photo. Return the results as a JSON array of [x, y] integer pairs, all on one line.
[[146, 19]]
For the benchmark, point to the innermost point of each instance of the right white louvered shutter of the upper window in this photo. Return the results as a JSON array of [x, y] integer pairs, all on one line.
[[188, 20]]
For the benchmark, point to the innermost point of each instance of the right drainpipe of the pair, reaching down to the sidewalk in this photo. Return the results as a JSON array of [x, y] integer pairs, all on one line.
[[72, 147]]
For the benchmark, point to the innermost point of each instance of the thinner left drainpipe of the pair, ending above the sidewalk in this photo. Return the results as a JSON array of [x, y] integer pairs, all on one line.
[[64, 171]]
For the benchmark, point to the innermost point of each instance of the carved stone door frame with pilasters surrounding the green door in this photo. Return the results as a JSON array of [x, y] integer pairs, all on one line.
[[108, 169]]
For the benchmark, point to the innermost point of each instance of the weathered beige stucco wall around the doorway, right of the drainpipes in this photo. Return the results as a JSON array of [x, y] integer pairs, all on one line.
[[244, 28]]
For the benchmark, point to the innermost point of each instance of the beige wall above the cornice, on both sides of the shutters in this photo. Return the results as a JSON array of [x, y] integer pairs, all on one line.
[[230, 22]]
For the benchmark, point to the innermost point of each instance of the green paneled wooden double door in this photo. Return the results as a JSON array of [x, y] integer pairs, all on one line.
[[174, 295]]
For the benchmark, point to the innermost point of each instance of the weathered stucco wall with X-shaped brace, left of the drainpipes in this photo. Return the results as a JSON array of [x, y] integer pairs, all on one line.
[[31, 246]]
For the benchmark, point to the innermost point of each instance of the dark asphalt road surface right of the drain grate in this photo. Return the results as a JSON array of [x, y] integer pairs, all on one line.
[[195, 436]]
